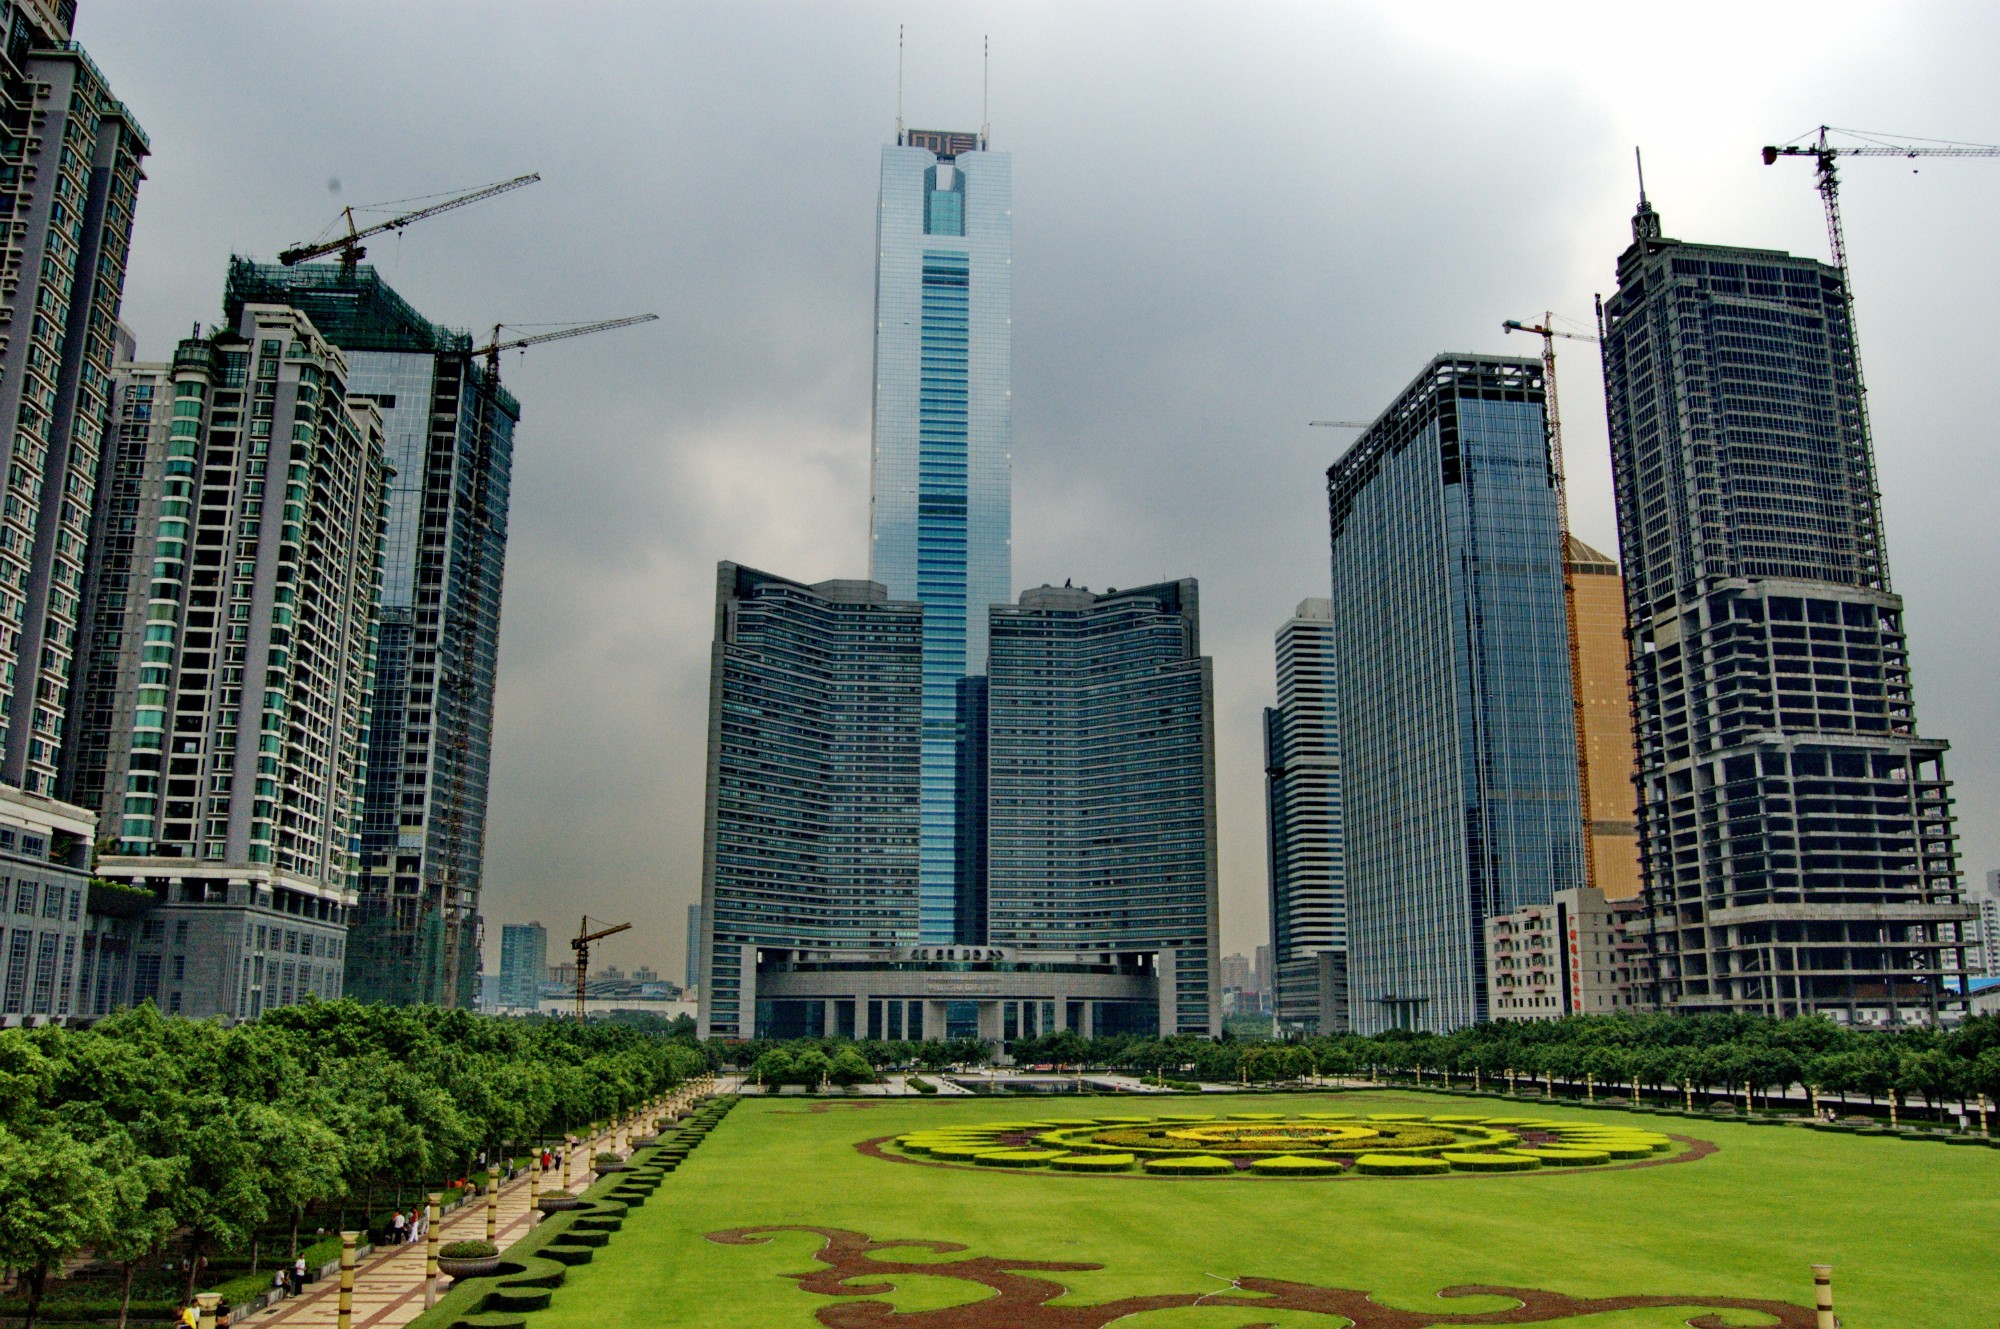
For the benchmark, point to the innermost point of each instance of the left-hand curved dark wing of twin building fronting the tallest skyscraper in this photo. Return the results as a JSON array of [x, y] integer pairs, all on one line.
[[815, 710]]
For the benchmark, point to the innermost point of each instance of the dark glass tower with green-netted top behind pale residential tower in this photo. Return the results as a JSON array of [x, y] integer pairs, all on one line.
[[451, 447]]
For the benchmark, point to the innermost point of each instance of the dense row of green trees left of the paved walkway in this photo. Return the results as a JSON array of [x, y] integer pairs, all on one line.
[[143, 1132]]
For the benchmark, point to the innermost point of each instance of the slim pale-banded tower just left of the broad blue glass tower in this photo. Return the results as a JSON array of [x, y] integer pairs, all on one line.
[[1309, 910]]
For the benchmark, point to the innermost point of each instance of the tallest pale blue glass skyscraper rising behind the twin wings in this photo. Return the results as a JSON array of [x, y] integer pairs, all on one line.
[[941, 509]]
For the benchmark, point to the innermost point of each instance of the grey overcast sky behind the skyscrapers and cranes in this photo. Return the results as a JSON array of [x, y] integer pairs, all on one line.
[[1229, 219]]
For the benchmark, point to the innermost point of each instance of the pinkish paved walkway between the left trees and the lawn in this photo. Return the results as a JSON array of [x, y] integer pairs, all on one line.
[[389, 1286]]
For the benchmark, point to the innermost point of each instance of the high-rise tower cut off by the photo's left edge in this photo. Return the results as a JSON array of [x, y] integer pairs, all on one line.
[[69, 181]]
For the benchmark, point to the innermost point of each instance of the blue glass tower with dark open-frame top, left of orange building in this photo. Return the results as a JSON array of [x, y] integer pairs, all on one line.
[[1457, 720]]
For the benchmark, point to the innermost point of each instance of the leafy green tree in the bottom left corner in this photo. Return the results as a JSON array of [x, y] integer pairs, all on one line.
[[55, 1200]]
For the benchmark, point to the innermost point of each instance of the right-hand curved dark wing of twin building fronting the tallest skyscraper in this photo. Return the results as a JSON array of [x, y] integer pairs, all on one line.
[[1103, 784]]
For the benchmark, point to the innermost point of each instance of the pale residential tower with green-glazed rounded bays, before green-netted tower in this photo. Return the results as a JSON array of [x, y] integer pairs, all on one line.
[[229, 661]]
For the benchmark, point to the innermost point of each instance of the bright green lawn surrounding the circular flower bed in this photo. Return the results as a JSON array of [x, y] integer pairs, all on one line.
[[1907, 1226]]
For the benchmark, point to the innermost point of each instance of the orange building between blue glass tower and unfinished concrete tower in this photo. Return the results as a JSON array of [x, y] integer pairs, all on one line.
[[1605, 696]]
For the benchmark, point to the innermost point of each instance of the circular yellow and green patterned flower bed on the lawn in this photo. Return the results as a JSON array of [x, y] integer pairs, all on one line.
[[1281, 1146]]
